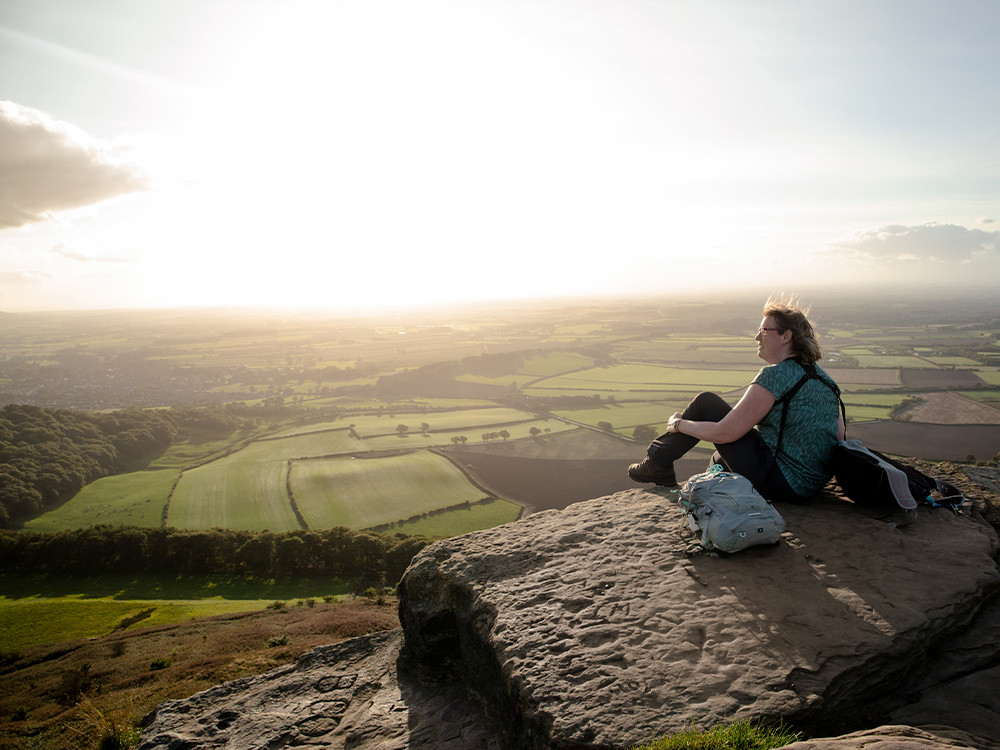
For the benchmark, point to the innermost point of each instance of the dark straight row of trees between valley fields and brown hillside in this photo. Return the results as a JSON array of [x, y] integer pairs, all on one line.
[[129, 549]]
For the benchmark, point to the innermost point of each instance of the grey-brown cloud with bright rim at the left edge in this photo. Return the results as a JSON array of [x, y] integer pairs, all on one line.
[[49, 165]]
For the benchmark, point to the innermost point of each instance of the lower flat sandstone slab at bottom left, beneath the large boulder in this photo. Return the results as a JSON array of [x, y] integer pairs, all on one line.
[[340, 696]]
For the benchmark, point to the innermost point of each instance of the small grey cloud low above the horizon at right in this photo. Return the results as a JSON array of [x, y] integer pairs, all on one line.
[[923, 242]]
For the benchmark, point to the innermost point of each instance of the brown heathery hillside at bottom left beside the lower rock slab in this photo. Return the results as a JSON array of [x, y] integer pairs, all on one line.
[[61, 695]]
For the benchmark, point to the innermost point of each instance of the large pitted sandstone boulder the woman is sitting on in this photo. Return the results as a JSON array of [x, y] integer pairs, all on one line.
[[591, 627]]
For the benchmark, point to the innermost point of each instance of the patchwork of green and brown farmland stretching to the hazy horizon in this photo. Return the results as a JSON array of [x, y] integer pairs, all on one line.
[[337, 418]]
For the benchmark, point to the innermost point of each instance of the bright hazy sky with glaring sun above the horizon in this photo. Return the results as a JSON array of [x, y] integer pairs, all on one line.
[[368, 154]]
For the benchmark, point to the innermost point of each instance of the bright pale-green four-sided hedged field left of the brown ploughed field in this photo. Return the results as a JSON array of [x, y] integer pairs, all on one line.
[[363, 492]]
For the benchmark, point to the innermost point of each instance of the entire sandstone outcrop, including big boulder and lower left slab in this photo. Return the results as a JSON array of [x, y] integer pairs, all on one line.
[[591, 627]]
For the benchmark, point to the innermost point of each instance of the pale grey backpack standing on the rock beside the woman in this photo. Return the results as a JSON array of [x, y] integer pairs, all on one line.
[[729, 512]]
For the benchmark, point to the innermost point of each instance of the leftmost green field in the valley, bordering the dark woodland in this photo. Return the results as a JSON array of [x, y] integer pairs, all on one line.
[[135, 499]]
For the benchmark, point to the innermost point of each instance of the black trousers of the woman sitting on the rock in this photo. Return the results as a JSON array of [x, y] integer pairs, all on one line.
[[748, 455]]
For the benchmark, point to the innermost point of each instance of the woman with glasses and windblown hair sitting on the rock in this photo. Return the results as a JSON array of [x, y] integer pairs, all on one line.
[[746, 436]]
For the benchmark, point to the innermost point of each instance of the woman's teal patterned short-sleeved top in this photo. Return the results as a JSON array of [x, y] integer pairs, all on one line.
[[810, 427]]
